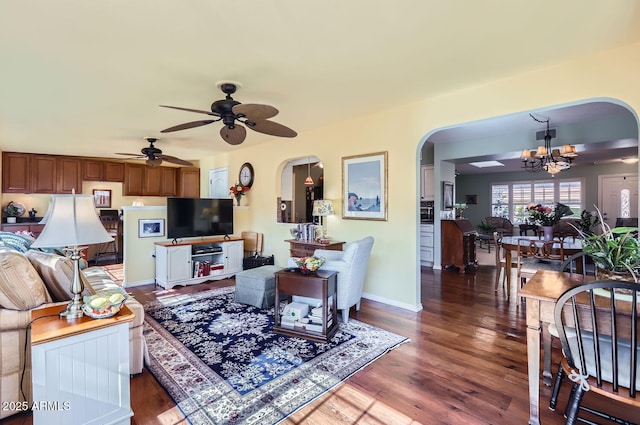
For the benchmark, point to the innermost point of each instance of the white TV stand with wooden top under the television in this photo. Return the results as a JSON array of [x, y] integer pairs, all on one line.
[[192, 261]]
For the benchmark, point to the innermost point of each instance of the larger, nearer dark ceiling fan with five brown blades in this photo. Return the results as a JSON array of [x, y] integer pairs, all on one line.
[[232, 113]]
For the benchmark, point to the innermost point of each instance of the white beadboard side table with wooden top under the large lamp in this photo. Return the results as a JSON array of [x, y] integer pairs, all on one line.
[[80, 369]]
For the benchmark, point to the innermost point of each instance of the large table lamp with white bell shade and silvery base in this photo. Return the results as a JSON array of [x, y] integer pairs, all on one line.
[[72, 222]]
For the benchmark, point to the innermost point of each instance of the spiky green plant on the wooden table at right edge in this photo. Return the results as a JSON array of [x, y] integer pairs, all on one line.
[[614, 251]]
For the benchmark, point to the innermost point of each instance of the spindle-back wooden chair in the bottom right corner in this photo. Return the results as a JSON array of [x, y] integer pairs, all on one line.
[[597, 323]]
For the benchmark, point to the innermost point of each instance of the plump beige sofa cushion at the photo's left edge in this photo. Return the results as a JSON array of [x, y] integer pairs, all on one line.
[[20, 286]]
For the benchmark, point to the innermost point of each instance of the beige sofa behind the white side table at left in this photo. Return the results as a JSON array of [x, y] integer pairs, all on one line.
[[34, 279]]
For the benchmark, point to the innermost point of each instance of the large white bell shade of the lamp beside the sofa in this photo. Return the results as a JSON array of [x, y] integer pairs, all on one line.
[[71, 221]]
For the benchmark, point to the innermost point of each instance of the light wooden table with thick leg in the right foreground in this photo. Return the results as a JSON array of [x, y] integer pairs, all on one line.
[[541, 293]]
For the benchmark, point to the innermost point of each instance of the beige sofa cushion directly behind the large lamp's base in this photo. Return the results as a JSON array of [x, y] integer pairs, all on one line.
[[56, 272]]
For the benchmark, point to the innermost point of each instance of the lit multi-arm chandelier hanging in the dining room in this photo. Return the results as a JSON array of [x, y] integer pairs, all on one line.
[[545, 158]]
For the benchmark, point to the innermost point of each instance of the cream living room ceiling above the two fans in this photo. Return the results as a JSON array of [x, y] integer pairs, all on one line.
[[84, 77]]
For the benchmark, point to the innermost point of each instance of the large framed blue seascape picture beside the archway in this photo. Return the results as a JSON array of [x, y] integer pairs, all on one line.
[[364, 186]]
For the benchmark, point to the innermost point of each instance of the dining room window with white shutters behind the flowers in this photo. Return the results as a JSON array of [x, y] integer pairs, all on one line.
[[510, 200]]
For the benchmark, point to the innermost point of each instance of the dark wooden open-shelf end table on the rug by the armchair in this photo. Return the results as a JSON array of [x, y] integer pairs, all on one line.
[[321, 285]]
